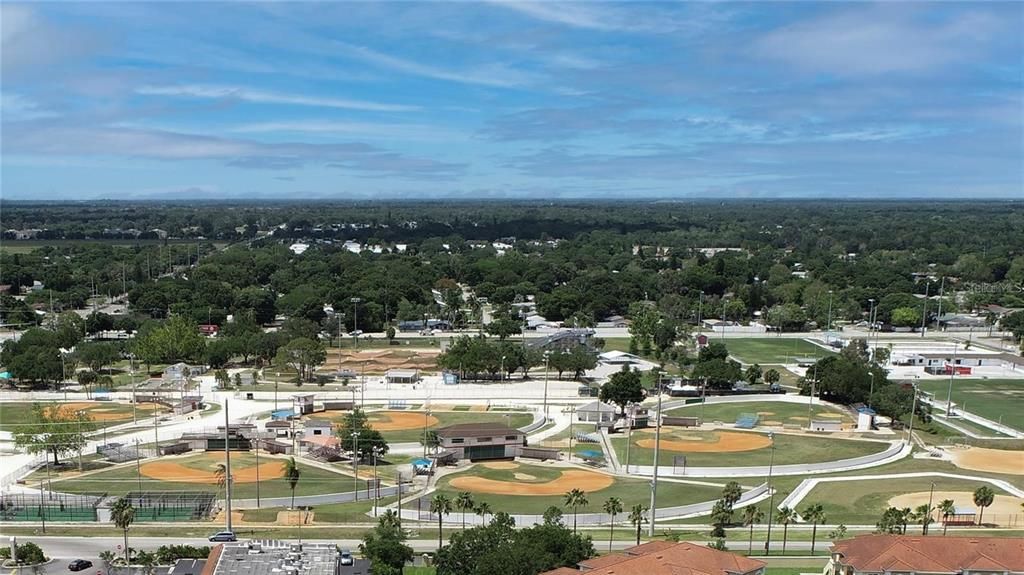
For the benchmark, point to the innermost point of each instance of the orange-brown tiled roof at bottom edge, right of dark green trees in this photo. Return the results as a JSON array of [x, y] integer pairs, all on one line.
[[664, 558]]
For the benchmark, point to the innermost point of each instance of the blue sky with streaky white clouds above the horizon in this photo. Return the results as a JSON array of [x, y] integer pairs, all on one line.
[[513, 100]]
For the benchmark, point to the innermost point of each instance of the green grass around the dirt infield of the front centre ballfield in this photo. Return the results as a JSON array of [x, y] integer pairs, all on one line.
[[631, 492]]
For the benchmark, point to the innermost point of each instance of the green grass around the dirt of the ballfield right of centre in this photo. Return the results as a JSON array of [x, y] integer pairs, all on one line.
[[789, 450]]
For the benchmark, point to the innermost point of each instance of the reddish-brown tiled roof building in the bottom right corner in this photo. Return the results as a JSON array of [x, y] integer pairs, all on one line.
[[910, 555]]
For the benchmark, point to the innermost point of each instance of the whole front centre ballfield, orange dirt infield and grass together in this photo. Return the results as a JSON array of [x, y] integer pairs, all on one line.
[[599, 489]]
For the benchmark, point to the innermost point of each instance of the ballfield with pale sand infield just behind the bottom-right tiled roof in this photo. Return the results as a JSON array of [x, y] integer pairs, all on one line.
[[864, 502]]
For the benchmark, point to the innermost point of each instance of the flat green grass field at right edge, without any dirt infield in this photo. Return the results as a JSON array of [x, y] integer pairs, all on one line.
[[990, 399]]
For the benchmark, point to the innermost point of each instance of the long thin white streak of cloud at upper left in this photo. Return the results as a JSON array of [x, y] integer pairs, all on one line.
[[264, 97]]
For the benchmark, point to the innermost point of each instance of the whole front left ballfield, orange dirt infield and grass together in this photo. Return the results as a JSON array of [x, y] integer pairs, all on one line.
[[195, 472]]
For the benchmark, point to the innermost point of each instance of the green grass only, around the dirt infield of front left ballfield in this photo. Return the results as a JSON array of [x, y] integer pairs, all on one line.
[[124, 479]]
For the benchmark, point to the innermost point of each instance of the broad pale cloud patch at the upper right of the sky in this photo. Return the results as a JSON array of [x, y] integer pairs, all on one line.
[[877, 41]]
